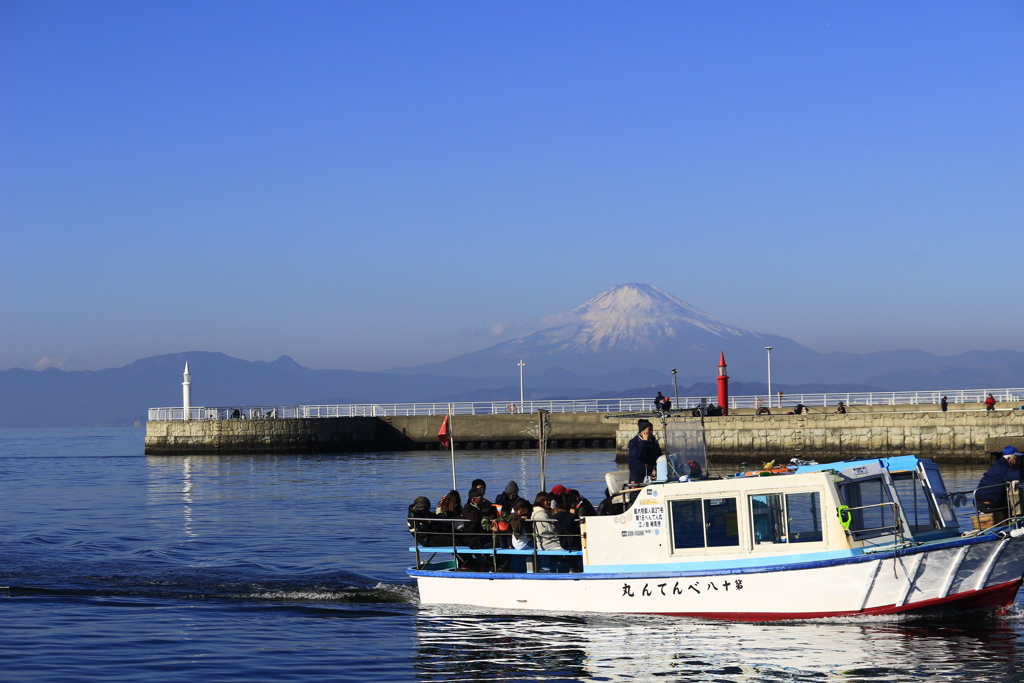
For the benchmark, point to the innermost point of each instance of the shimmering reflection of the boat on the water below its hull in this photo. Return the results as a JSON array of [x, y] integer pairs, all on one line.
[[464, 647]]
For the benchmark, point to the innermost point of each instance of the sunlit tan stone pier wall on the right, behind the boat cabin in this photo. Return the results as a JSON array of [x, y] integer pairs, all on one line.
[[954, 437]]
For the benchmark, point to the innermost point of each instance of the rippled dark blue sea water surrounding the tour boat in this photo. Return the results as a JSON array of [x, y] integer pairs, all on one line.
[[121, 567]]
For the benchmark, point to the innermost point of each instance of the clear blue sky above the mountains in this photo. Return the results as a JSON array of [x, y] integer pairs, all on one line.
[[374, 185]]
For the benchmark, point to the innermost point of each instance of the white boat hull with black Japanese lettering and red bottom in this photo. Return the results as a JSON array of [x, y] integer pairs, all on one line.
[[980, 573]]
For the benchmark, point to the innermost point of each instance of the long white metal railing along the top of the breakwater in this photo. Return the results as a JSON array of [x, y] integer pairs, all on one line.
[[1013, 396]]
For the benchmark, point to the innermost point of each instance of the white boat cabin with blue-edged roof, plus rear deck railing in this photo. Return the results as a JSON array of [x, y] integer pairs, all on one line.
[[769, 518]]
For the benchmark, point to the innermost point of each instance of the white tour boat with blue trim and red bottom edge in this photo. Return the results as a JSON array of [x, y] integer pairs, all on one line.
[[866, 537]]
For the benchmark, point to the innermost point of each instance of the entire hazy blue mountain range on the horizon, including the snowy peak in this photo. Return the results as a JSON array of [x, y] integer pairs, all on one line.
[[619, 344]]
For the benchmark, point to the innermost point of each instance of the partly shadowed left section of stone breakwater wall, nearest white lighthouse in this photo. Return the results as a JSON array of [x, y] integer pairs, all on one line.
[[373, 434]]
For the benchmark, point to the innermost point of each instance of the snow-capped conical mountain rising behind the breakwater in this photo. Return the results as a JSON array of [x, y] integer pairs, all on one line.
[[632, 330]]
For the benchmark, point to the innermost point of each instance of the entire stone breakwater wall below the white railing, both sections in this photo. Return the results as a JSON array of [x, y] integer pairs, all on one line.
[[954, 437]]
